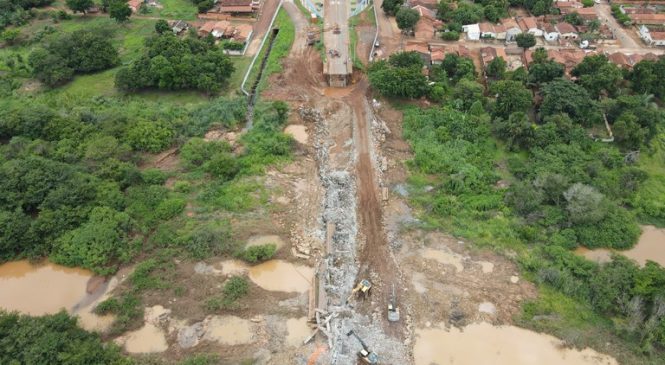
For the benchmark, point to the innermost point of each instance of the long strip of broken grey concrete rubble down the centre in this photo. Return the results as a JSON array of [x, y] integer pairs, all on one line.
[[340, 268]]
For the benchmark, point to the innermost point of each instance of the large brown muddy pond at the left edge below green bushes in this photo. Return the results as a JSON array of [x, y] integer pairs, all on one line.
[[47, 288]]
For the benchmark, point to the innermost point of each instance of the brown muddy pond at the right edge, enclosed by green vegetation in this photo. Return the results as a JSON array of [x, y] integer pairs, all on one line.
[[651, 246]]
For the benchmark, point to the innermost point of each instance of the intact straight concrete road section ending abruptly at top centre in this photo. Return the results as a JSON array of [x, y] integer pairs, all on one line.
[[338, 66]]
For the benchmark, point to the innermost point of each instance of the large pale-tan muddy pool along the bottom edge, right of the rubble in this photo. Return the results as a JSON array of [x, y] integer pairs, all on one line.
[[484, 344]]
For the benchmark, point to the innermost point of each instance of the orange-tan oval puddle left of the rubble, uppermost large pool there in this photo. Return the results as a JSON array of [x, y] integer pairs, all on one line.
[[278, 275]]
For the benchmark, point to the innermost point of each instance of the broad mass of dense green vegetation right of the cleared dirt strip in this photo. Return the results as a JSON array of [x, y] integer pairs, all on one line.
[[514, 171]]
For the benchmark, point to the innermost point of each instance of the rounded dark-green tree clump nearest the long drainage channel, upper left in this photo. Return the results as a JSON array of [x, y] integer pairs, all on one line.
[[173, 63]]
